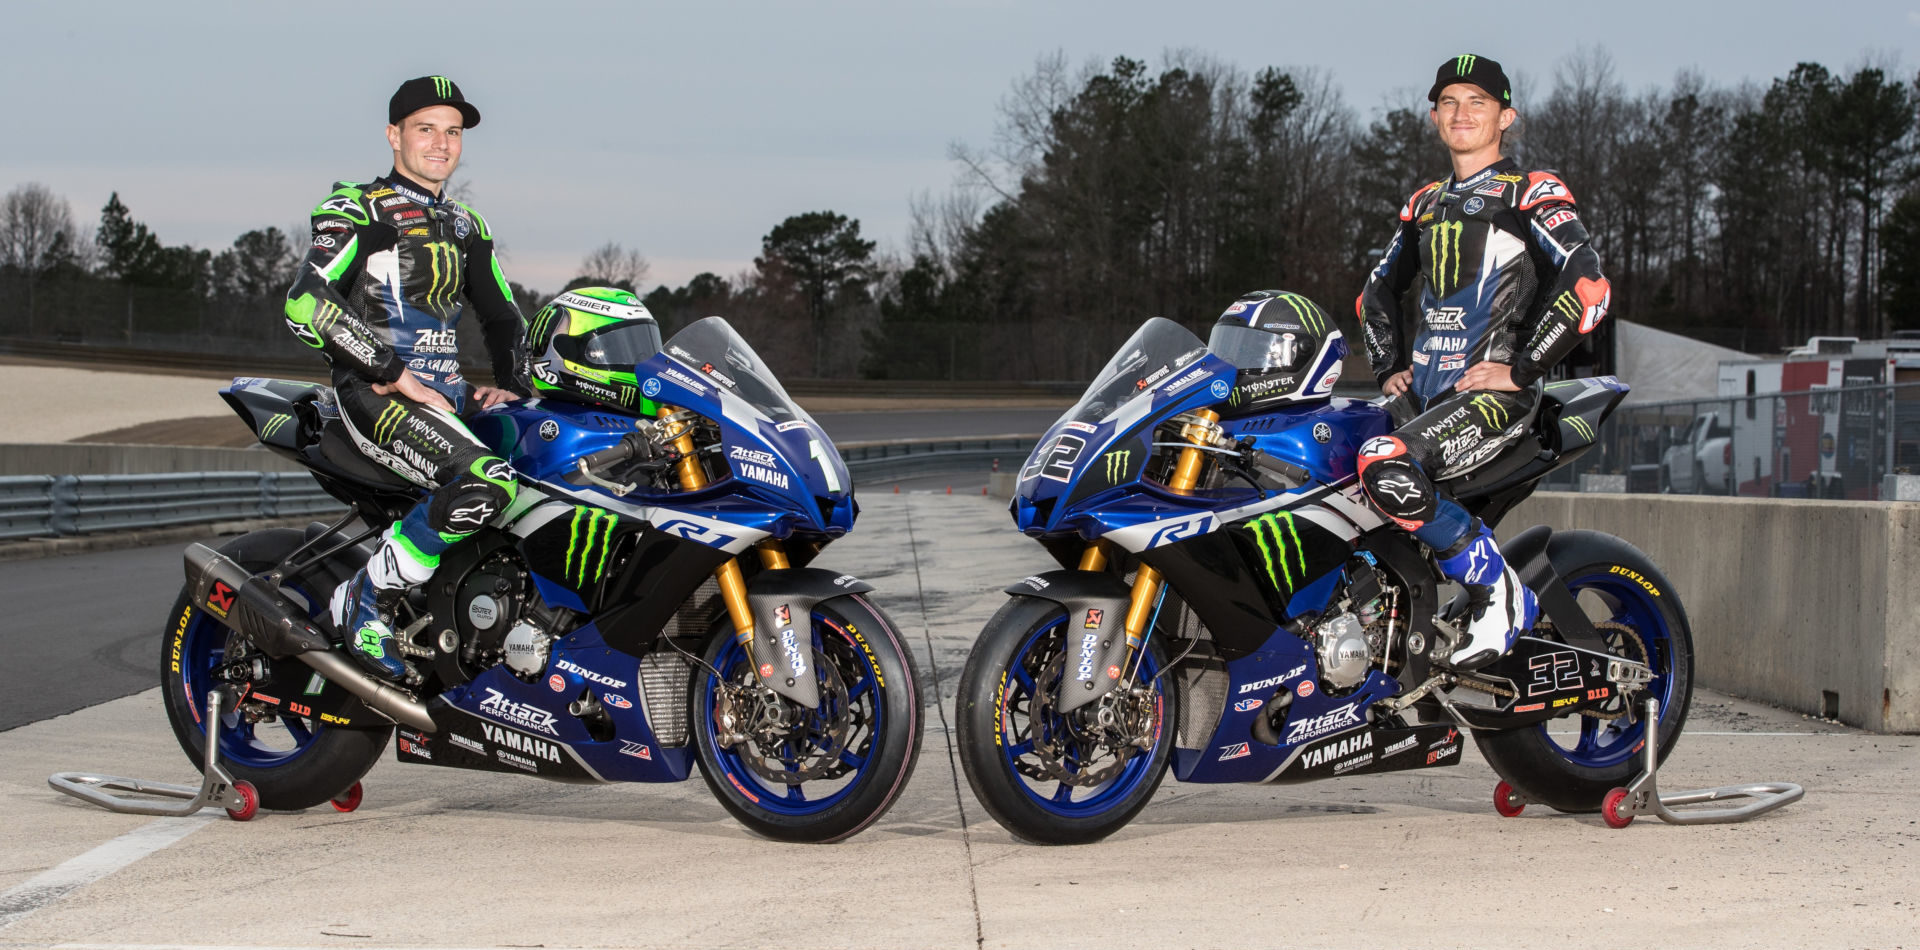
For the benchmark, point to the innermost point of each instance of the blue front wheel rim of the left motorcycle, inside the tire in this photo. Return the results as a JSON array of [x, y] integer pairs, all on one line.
[[861, 748]]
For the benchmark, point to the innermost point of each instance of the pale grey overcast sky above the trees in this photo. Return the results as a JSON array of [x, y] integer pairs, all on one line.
[[690, 130]]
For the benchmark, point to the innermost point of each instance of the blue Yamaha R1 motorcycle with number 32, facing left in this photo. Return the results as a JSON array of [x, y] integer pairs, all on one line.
[[1232, 607]]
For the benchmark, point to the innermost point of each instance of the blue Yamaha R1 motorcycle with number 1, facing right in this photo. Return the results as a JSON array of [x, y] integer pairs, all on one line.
[[646, 604]]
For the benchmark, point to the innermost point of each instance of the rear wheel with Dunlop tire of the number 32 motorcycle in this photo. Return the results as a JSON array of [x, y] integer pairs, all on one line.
[[1575, 772]]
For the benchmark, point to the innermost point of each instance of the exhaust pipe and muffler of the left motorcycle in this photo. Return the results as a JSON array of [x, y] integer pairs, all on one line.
[[281, 629]]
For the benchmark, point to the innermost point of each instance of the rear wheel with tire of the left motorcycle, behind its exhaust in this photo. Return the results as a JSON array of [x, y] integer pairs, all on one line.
[[293, 763]]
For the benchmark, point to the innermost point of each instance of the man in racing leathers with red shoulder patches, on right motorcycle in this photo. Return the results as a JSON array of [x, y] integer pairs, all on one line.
[[1510, 285]]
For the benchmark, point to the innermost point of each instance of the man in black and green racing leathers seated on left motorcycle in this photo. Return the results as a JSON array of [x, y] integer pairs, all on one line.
[[381, 295]]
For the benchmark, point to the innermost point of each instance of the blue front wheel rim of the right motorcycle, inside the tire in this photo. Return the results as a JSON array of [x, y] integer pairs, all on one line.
[[1067, 801]]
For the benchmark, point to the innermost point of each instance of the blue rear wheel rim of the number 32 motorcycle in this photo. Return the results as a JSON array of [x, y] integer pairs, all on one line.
[[1602, 744]]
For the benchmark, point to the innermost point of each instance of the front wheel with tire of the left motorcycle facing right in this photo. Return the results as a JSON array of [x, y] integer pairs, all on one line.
[[869, 765]]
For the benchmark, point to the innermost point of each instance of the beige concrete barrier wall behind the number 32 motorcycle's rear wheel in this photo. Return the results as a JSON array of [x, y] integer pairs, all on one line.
[[1812, 606]]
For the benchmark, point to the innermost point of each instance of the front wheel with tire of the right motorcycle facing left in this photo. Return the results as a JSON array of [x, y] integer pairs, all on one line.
[[1005, 698]]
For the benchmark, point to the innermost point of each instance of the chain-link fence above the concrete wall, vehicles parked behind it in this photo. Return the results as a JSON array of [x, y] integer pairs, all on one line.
[[1827, 444]]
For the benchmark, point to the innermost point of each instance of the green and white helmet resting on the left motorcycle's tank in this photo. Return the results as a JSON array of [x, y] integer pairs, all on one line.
[[587, 344]]
